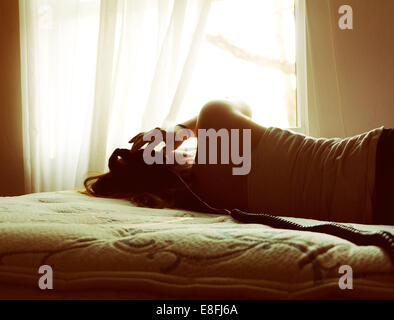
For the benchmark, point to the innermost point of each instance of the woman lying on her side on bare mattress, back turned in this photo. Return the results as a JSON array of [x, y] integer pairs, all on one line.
[[348, 180]]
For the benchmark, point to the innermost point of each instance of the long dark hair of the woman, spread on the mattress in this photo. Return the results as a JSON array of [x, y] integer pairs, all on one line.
[[155, 186]]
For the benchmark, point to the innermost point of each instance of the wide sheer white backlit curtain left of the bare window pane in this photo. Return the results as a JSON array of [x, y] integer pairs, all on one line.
[[95, 73]]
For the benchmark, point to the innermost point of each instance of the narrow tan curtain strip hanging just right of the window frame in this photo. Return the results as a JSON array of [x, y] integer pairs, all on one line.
[[323, 89]]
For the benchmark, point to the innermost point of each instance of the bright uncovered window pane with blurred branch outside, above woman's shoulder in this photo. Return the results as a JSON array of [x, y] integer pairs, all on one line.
[[248, 51]]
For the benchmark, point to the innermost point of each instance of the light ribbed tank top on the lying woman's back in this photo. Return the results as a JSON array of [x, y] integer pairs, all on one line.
[[296, 175]]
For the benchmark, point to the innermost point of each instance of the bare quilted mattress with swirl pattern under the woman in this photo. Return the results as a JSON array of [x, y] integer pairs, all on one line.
[[109, 249]]
